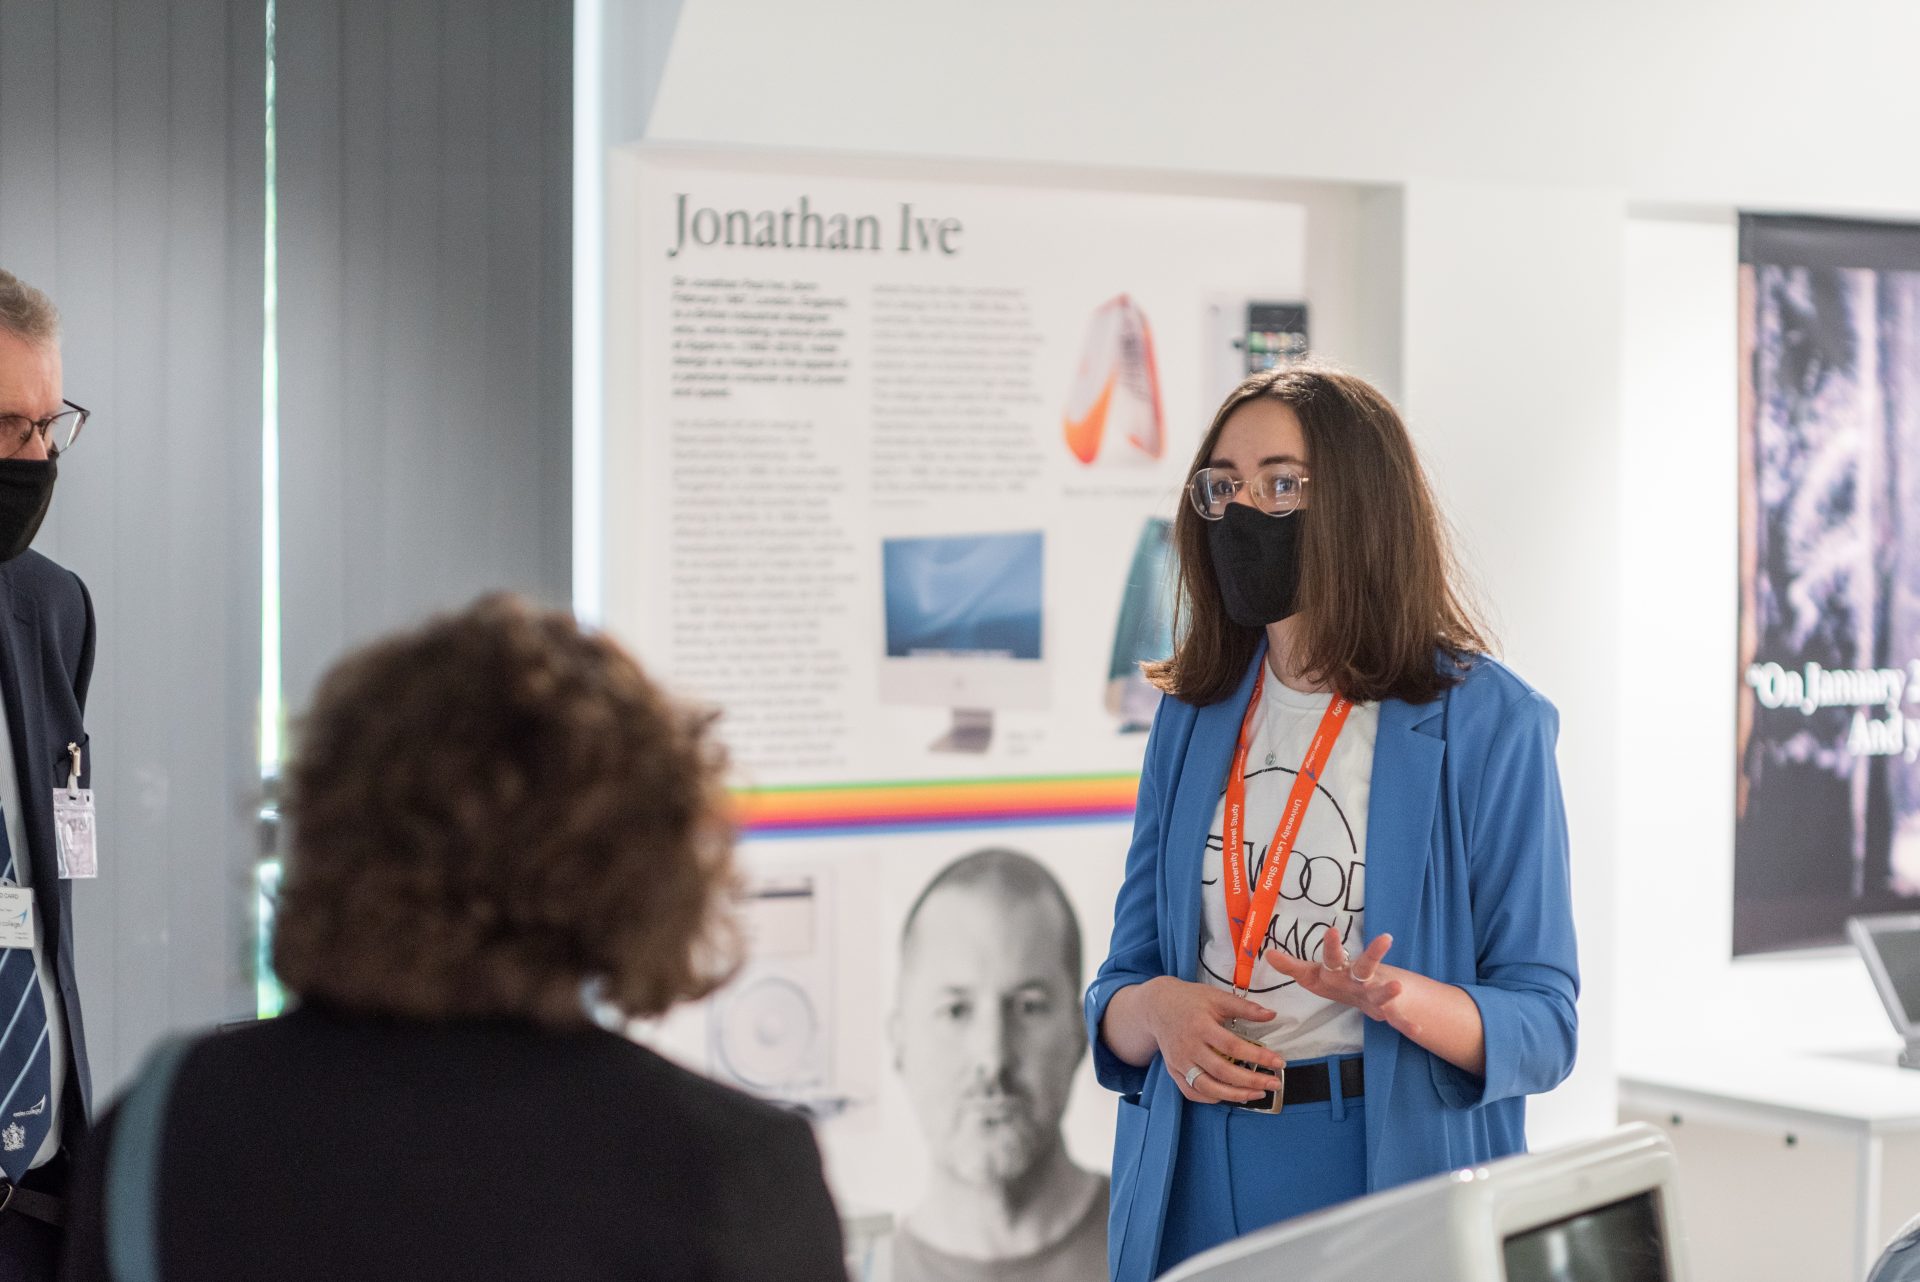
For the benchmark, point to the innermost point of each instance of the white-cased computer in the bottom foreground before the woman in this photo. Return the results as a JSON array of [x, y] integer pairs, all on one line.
[[1595, 1212]]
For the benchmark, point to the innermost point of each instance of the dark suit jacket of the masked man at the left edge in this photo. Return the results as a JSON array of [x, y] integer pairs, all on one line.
[[47, 659]]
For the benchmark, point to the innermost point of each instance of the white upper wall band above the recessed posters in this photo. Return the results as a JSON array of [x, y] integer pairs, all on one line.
[[1764, 103]]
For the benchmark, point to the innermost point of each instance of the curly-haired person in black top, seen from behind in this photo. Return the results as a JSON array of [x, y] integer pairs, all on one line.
[[506, 842]]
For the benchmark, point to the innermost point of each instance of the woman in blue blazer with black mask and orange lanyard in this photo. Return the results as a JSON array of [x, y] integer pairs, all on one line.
[[1391, 953]]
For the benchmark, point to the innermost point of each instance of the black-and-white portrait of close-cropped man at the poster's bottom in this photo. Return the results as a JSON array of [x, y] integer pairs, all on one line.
[[988, 1037]]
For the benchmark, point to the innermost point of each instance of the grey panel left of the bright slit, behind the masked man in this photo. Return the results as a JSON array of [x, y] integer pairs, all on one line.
[[132, 189]]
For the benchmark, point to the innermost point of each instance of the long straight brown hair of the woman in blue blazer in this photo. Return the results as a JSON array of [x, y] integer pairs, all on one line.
[[1378, 602]]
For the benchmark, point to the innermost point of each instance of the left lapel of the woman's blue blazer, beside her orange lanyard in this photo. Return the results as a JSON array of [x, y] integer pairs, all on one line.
[[1203, 778]]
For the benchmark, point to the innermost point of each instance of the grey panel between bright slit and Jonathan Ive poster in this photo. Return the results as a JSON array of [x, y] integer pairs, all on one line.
[[425, 283]]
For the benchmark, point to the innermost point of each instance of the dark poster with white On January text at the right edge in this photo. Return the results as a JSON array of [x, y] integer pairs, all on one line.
[[1829, 717]]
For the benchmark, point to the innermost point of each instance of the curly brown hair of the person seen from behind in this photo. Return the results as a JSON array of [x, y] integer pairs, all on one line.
[[496, 815]]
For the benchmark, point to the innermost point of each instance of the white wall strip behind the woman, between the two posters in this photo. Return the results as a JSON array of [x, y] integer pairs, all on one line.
[[1512, 387]]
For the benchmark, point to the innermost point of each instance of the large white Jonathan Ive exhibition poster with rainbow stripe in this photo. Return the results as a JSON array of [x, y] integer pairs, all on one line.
[[892, 469]]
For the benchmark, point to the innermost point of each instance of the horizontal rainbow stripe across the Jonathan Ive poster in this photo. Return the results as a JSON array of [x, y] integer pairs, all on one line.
[[842, 809]]
